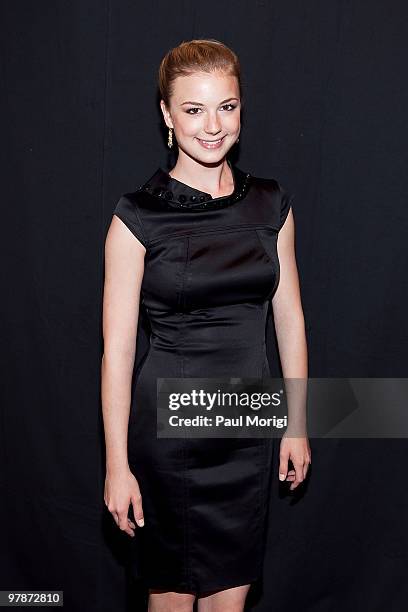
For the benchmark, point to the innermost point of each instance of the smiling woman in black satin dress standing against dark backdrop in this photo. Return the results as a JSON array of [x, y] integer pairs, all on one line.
[[200, 246]]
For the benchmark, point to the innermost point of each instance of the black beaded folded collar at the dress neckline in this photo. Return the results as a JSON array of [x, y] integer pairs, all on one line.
[[176, 194]]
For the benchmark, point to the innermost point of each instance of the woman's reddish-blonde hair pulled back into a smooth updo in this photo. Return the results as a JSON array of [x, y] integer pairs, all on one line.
[[198, 55]]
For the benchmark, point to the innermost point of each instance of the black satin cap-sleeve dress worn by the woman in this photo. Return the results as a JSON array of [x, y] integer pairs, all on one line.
[[211, 268]]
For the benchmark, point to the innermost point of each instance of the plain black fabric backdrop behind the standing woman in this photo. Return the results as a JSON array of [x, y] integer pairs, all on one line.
[[326, 99]]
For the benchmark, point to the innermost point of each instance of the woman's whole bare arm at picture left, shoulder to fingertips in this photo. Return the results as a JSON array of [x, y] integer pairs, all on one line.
[[124, 268]]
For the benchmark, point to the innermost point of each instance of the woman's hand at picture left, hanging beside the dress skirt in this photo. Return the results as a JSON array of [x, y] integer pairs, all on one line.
[[122, 489]]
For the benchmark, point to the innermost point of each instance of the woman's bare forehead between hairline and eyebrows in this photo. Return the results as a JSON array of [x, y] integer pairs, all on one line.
[[205, 86]]
